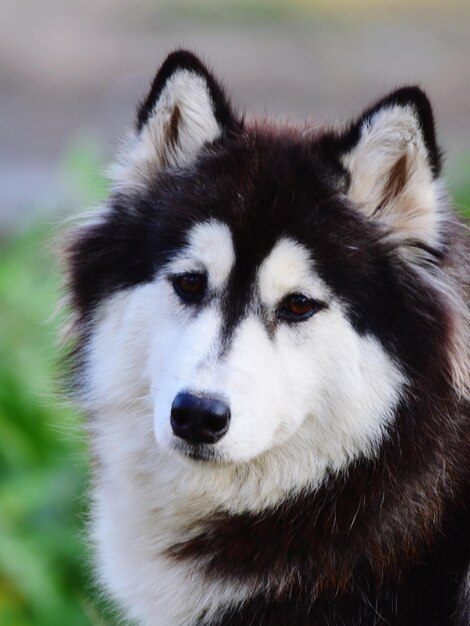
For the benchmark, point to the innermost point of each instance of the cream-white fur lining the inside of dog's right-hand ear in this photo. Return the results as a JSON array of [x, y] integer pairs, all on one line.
[[413, 214]]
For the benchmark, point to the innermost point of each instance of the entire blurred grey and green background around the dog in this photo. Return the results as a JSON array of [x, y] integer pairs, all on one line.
[[70, 76]]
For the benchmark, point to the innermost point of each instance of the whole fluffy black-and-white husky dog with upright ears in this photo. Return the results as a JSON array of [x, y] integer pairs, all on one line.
[[271, 330]]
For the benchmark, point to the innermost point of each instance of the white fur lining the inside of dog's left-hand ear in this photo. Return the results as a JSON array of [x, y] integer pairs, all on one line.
[[146, 153]]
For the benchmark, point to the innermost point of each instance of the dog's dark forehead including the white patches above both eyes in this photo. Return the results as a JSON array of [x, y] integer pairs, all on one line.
[[253, 214]]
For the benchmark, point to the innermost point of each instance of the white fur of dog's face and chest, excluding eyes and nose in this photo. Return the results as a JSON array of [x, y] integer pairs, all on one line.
[[305, 402]]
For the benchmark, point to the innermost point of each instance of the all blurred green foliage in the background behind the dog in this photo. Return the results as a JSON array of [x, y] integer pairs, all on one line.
[[44, 561]]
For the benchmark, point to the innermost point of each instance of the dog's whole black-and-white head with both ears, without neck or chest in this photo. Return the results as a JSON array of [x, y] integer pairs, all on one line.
[[247, 288]]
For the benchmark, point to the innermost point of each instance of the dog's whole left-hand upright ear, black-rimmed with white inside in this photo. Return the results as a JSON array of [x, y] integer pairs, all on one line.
[[185, 109]]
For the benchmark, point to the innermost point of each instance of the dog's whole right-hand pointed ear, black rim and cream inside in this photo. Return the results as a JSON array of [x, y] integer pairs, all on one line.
[[392, 165]]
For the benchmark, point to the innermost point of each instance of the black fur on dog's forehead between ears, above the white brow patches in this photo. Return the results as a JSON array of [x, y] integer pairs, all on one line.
[[263, 187]]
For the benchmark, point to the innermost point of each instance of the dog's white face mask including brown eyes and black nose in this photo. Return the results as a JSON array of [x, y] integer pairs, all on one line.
[[258, 346]]
